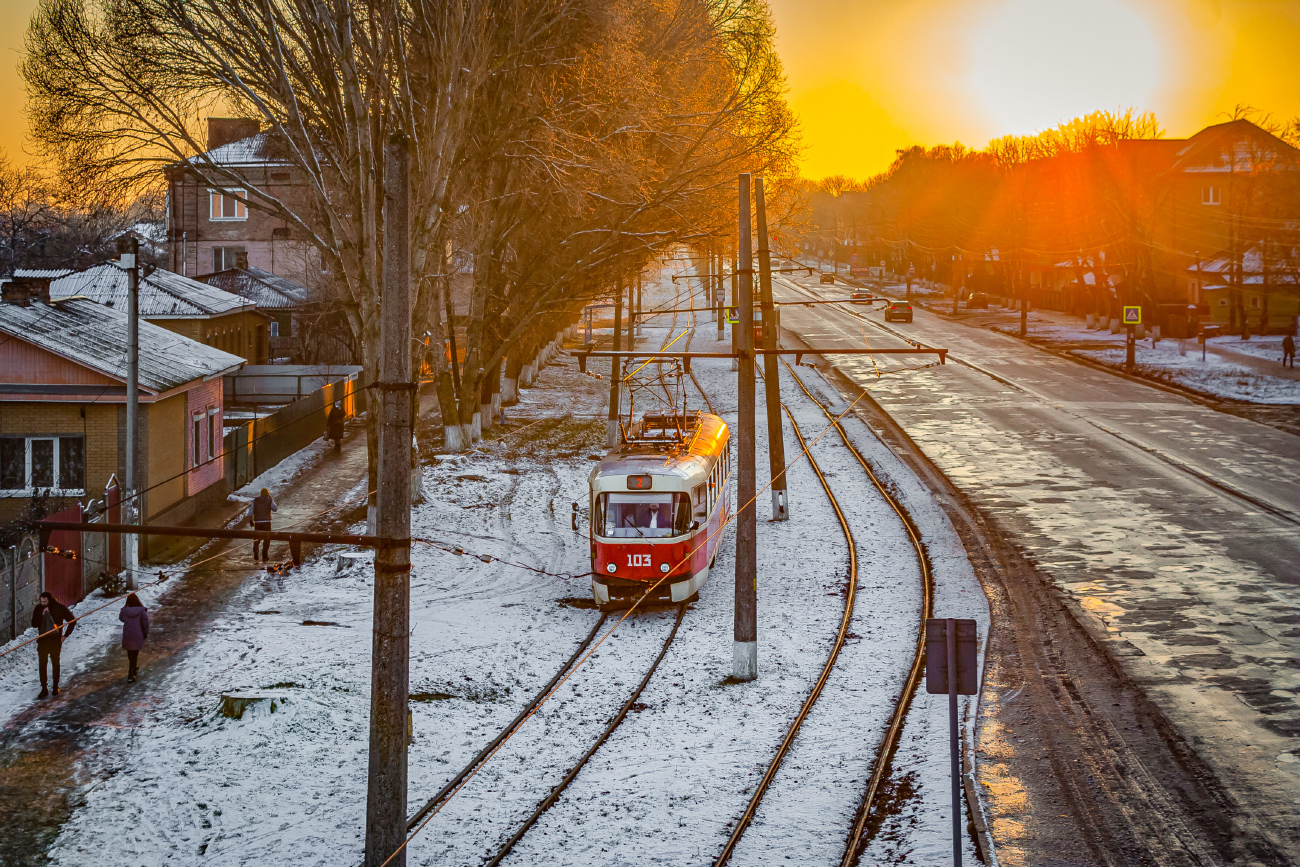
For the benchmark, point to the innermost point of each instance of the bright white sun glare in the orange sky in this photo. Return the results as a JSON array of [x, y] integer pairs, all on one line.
[[1037, 63]]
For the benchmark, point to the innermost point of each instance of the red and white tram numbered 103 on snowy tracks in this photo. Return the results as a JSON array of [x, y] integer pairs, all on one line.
[[658, 505]]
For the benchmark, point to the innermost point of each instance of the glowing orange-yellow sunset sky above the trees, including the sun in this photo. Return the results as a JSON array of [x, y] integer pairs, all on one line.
[[869, 77]]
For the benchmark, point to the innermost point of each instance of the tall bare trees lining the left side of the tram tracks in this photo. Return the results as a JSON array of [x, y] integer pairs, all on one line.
[[558, 146]]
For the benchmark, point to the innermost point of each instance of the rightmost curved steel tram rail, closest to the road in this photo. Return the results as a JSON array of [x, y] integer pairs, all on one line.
[[885, 753]]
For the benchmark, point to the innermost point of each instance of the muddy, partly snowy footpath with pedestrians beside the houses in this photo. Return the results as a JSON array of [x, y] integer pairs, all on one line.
[[46, 747]]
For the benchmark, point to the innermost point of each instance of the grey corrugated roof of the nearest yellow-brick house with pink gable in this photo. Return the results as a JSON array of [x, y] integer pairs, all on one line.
[[96, 336]]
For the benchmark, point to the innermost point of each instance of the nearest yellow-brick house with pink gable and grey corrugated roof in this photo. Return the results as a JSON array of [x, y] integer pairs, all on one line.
[[63, 408]]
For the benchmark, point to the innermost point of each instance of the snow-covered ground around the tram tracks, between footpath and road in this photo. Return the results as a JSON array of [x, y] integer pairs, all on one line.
[[180, 784]]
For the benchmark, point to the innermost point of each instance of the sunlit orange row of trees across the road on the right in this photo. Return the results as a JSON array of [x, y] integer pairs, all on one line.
[[1090, 193]]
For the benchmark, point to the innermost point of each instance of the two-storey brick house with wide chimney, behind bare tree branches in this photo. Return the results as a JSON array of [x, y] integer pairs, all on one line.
[[210, 231]]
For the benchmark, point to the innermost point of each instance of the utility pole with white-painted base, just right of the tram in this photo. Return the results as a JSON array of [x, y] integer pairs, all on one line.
[[746, 623]]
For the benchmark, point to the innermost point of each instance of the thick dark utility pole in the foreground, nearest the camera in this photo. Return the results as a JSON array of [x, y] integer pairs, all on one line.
[[391, 658]]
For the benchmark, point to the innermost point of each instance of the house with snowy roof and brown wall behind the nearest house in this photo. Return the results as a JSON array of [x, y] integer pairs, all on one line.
[[192, 309]]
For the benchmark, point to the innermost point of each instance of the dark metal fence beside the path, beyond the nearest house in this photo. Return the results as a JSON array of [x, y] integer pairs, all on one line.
[[259, 445]]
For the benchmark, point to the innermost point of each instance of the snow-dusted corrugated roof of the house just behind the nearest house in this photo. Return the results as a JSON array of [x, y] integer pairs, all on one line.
[[162, 293]]
